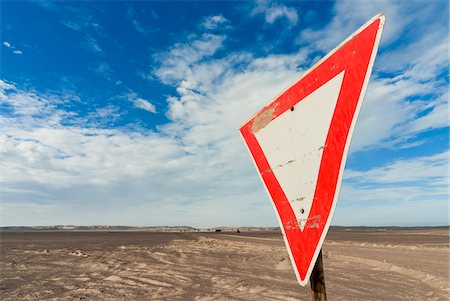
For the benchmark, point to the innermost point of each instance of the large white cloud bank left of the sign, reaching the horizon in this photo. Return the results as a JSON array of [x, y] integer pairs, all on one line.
[[190, 166]]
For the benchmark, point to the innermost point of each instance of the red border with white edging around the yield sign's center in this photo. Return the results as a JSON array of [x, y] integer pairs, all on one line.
[[355, 56]]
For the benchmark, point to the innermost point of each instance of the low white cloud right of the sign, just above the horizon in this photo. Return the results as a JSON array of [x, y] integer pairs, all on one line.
[[406, 192]]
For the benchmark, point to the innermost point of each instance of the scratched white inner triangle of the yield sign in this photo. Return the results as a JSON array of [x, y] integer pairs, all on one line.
[[294, 142]]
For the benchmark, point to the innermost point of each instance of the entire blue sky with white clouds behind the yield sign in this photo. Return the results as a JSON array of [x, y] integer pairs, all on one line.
[[127, 113]]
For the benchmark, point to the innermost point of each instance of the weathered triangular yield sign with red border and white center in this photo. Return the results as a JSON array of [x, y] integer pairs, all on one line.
[[299, 142]]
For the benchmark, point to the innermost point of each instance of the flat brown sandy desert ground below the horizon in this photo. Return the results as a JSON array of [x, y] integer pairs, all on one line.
[[359, 265]]
